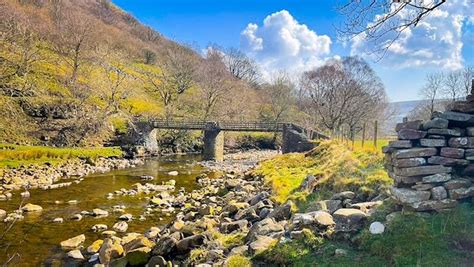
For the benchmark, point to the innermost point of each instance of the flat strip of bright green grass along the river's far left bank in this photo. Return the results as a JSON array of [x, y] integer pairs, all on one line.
[[13, 156]]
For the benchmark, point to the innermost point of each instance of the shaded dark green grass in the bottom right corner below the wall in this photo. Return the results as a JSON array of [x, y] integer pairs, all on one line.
[[409, 240]]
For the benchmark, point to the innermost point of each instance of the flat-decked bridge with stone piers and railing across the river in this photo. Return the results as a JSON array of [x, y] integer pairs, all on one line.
[[295, 138]]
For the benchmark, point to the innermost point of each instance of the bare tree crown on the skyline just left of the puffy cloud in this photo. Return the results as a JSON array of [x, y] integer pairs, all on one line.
[[241, 66]]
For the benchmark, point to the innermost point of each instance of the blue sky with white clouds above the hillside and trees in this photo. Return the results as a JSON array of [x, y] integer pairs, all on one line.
[[205, 22]]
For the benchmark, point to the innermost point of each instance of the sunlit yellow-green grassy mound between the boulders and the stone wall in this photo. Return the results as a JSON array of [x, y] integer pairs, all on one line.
[[336, 166]]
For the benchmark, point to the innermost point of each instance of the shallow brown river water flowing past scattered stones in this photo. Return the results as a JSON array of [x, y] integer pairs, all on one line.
[[35, 240]]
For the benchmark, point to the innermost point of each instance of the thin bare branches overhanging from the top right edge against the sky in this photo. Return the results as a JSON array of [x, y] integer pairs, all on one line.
[[383, 21]]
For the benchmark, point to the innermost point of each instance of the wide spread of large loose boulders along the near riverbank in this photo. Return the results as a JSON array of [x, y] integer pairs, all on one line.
[[227, 217]]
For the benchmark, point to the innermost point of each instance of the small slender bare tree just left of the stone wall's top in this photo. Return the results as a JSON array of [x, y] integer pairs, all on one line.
[[432, 90]]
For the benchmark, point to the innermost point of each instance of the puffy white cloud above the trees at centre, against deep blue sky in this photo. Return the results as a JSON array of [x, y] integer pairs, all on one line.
[[282, 43]]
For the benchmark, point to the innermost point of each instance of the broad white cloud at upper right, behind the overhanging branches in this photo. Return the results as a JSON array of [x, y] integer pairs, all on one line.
[[435, 42]]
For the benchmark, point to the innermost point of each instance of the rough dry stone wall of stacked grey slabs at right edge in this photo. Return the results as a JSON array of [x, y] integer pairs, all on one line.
[[432, 162]]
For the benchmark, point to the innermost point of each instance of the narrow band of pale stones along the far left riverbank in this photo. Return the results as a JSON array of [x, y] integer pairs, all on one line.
[[49, 176]]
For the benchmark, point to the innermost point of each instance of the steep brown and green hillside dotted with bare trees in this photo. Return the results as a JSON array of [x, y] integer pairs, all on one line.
[[78, 72]]
